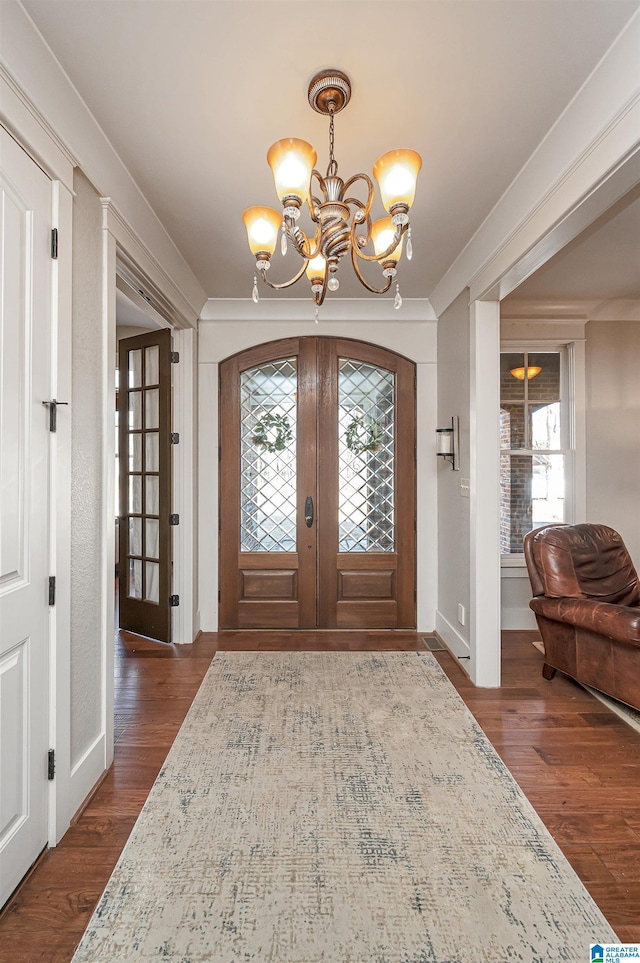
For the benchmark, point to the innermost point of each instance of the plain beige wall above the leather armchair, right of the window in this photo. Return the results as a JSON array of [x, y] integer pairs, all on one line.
[[613, 428]]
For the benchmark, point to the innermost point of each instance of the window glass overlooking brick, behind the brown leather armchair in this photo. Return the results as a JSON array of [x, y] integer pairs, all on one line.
[[535, 459]]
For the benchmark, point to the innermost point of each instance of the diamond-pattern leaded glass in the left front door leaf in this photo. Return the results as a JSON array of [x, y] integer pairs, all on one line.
[[268, 409]]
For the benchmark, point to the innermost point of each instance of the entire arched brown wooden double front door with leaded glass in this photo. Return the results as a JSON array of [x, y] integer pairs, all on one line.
[[317, 486]]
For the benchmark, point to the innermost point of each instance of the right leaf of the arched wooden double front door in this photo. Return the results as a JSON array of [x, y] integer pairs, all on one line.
[[366, 487]]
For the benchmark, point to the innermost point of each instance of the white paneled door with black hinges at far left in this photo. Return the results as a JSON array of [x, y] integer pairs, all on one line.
[[25, 362]]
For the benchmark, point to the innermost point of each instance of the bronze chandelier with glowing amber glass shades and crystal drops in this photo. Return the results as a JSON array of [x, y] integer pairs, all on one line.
[[342, 222]]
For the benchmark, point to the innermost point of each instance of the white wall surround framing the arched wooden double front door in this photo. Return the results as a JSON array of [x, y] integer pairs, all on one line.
[[414, 339]]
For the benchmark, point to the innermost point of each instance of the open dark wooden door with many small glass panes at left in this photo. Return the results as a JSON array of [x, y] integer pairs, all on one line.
[[144, 419]]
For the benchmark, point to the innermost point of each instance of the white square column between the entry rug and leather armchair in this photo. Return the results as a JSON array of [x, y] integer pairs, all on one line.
[[484, 562]]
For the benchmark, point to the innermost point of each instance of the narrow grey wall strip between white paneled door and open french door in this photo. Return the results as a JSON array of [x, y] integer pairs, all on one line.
[[86, 480]]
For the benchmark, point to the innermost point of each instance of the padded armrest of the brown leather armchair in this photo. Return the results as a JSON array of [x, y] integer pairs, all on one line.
[[618, 622]]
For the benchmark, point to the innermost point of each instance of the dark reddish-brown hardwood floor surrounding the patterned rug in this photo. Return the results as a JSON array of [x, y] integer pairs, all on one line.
[[576, 761]]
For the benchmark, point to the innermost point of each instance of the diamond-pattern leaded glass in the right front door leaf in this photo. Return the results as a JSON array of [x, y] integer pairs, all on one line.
[[366, 416]]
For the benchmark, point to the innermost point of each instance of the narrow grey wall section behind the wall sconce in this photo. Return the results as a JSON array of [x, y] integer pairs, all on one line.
[[453, 508]]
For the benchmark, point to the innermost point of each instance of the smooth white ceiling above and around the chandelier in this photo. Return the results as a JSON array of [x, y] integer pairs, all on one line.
[[192, 93]]
